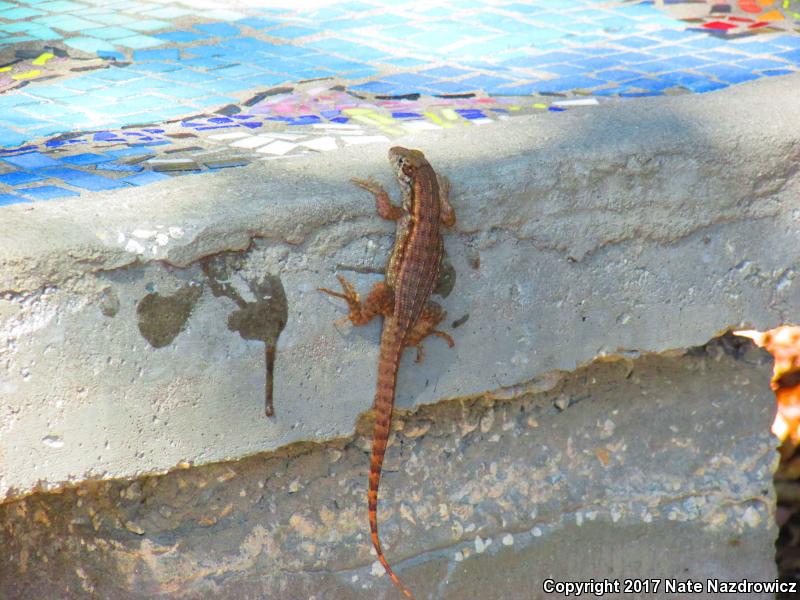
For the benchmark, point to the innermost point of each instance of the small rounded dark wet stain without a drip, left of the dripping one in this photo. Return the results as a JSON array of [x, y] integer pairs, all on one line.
[[162, 318]]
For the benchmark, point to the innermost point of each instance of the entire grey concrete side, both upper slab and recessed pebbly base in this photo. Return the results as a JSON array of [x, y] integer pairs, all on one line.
[[134, 331]]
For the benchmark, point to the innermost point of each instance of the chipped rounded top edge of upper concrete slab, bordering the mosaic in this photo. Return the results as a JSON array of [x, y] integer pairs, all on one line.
[[525, 175]]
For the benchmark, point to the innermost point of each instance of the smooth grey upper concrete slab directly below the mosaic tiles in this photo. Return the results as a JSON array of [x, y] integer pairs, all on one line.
[[624, 229]]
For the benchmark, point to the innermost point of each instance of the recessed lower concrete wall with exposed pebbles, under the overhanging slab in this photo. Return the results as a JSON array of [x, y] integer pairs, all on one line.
[[651, 468]]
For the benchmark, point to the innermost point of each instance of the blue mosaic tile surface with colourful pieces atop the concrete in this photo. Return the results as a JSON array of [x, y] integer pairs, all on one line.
[[98, 95]]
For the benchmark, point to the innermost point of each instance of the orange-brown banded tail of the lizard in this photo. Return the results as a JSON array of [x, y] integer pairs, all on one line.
[[391, 351]]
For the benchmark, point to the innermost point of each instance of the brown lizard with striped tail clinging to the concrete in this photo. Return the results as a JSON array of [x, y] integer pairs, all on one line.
[[403, 297]]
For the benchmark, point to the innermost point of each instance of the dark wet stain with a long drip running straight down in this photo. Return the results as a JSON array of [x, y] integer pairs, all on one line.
[[262, 319]]
